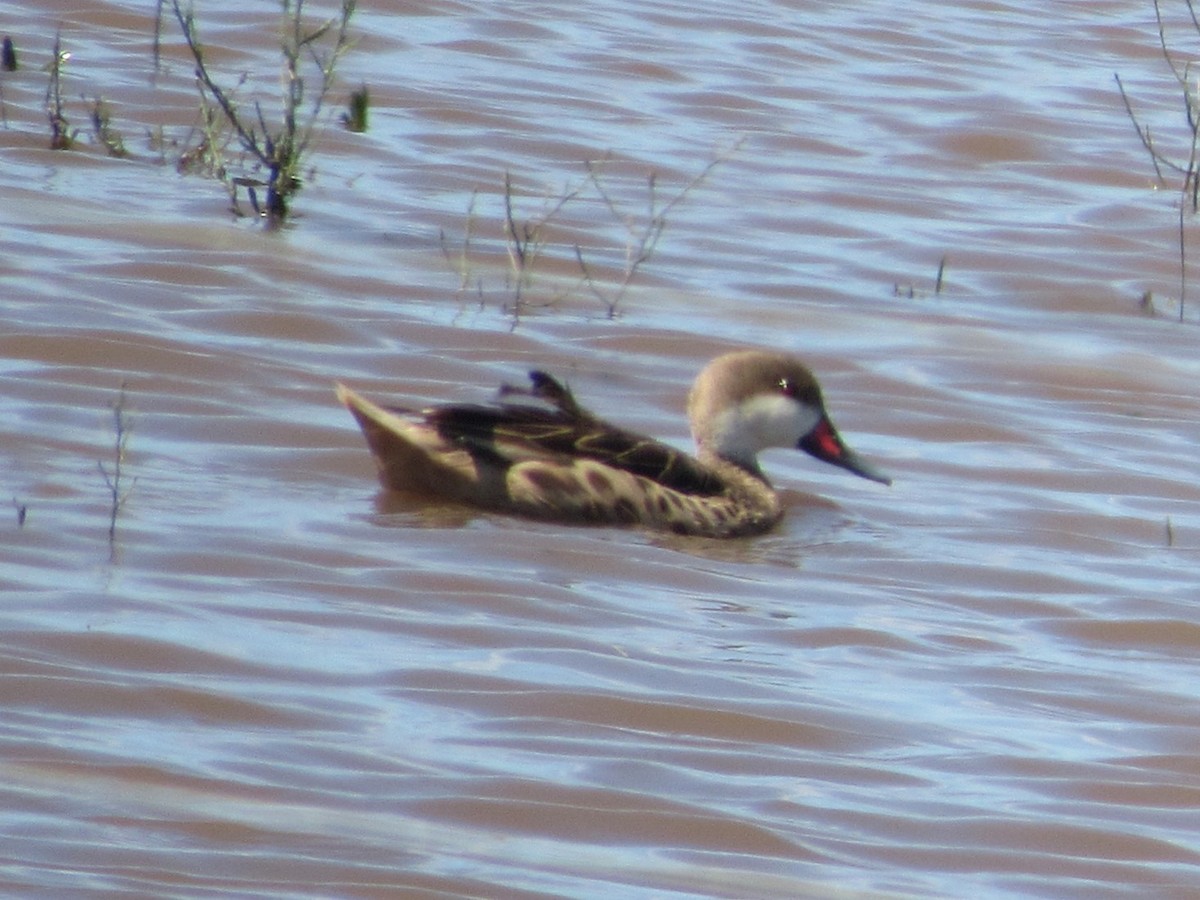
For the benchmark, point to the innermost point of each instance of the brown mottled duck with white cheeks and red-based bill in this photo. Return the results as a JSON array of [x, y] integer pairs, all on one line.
[[537, 453]]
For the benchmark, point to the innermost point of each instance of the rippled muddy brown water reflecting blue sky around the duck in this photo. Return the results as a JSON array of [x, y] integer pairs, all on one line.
[[277, 681]]
